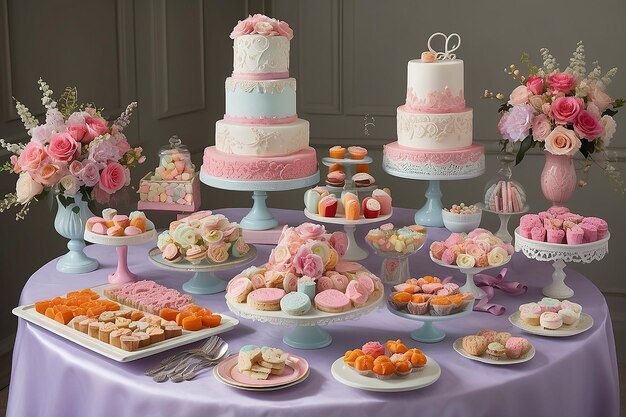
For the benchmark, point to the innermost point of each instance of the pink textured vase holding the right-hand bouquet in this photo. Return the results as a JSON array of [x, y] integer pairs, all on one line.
[[558, 178]]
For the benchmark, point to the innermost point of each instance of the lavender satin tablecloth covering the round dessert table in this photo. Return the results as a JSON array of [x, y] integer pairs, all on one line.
[[574, 376]]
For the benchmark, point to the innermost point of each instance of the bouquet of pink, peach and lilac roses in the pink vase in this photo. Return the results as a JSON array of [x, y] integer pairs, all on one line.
[[562, 111]]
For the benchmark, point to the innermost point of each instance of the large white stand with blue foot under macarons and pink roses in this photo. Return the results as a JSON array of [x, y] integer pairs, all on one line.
[[307, 333]]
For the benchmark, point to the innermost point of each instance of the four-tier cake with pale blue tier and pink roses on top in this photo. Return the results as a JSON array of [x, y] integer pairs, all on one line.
[[260, 137]]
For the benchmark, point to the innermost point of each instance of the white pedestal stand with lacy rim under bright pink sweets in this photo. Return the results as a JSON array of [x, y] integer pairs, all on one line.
[[560, 255]]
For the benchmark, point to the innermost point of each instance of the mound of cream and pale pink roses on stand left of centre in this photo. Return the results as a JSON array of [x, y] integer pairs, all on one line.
[[203, 235]]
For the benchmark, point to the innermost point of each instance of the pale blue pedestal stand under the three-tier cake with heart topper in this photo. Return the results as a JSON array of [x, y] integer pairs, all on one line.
[[430, 213]]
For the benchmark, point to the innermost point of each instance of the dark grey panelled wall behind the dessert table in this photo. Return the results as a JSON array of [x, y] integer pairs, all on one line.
[[350, 60]]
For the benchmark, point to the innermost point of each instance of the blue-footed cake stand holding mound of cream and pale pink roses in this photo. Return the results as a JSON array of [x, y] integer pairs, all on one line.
[[204, 280]]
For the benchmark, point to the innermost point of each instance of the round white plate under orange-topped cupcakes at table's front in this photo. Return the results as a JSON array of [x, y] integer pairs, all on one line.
[[416, 380]]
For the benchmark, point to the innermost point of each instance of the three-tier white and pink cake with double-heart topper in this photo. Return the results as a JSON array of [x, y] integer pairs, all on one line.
[[434, 125]]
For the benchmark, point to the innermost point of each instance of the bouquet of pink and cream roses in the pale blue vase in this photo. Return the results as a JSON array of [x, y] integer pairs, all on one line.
[[74, 151]]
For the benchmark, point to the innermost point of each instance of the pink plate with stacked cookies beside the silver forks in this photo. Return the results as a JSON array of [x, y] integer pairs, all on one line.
[[296, 369]]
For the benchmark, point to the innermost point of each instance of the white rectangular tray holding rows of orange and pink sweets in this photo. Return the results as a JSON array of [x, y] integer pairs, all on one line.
[[29, 313]]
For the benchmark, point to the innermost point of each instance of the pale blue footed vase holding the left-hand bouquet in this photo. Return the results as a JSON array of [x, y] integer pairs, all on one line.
[[70, 223]]
